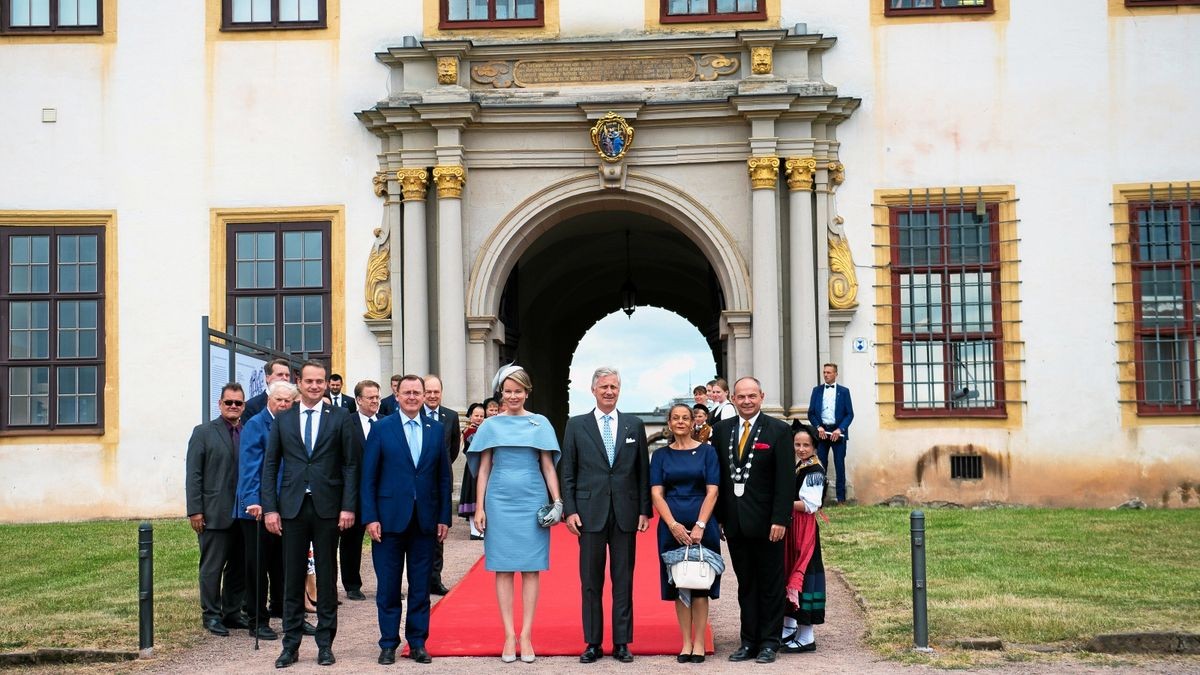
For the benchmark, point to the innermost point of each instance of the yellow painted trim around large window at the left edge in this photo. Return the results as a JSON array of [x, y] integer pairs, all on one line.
[[110, 438]]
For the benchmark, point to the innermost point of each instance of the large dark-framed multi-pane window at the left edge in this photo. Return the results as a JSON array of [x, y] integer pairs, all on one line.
[[52, 330]]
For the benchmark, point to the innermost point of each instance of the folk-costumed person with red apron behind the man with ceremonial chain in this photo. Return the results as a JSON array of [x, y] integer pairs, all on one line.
[[802, 551]]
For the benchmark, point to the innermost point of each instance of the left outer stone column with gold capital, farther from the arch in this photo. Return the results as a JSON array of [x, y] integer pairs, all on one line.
[[413, 319]]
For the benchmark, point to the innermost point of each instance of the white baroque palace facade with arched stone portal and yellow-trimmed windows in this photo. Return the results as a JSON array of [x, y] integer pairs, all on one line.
[[987, 212]]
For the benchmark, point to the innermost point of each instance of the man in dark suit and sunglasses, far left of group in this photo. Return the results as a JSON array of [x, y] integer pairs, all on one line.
[[212, 488]]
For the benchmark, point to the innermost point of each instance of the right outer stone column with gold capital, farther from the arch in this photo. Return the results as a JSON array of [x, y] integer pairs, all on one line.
[[806, 363]]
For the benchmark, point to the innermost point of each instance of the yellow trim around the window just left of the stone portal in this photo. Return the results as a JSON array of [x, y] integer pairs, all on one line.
[[220, 220]]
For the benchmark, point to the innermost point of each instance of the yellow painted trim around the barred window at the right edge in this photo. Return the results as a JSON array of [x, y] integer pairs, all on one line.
[[1124, 304]]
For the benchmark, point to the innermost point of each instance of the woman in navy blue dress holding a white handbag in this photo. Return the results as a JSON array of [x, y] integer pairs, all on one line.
[[685, 477]]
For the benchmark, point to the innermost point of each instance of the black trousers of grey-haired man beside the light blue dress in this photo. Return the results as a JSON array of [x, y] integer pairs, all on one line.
[[617, 548]]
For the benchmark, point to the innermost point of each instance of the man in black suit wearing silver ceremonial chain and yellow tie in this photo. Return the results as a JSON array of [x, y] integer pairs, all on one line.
[[754, 509]]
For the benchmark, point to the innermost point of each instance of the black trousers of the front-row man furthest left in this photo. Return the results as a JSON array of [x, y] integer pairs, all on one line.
[[323, 534]]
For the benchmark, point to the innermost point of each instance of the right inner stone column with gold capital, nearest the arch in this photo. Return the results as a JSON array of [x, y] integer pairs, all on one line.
[[767, 365]]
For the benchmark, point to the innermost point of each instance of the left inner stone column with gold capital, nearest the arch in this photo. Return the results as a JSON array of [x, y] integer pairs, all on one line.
[[452, 294]]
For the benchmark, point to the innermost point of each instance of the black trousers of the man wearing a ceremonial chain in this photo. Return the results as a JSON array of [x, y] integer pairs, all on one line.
[[759, 564]]
